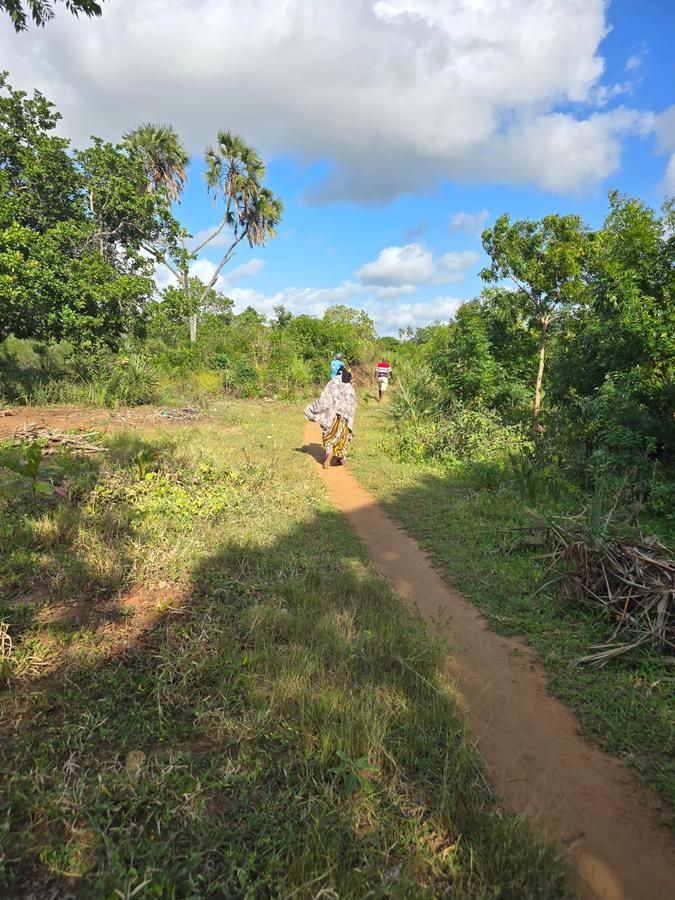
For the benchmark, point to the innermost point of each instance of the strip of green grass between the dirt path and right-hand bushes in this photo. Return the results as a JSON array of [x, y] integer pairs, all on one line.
[[467, 520]]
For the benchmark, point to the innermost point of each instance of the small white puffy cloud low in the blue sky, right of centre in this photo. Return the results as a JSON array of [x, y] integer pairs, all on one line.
[[413, 264]]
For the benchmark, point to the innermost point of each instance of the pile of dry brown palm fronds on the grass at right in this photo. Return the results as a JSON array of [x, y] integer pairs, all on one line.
[[633, 578]]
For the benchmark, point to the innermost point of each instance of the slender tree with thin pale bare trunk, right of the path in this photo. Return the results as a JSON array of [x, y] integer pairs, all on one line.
[[545, 262]]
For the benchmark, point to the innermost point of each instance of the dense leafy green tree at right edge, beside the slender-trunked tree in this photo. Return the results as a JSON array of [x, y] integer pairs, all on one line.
[[614, 357]]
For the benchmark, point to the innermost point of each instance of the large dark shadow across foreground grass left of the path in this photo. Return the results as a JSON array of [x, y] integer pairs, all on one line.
[[295, 737]]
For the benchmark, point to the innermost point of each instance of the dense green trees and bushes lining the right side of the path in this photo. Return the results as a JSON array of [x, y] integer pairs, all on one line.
[[582, 350]]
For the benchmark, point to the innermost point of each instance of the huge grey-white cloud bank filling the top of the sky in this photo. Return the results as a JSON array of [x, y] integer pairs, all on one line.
[[393, 94]]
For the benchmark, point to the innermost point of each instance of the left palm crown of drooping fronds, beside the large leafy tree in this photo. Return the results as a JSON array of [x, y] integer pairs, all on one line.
[[163, 155]]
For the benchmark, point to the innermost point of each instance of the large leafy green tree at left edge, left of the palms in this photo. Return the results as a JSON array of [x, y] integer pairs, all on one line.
[[73, 228]]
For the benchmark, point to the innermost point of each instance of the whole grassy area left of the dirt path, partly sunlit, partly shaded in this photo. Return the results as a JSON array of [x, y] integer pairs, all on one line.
[[296, 734]]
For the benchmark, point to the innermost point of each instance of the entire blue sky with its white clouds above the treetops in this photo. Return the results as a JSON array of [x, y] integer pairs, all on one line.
[[393, 129]]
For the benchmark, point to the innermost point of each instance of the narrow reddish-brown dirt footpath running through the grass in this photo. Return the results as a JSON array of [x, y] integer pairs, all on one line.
[[536, 759]]
